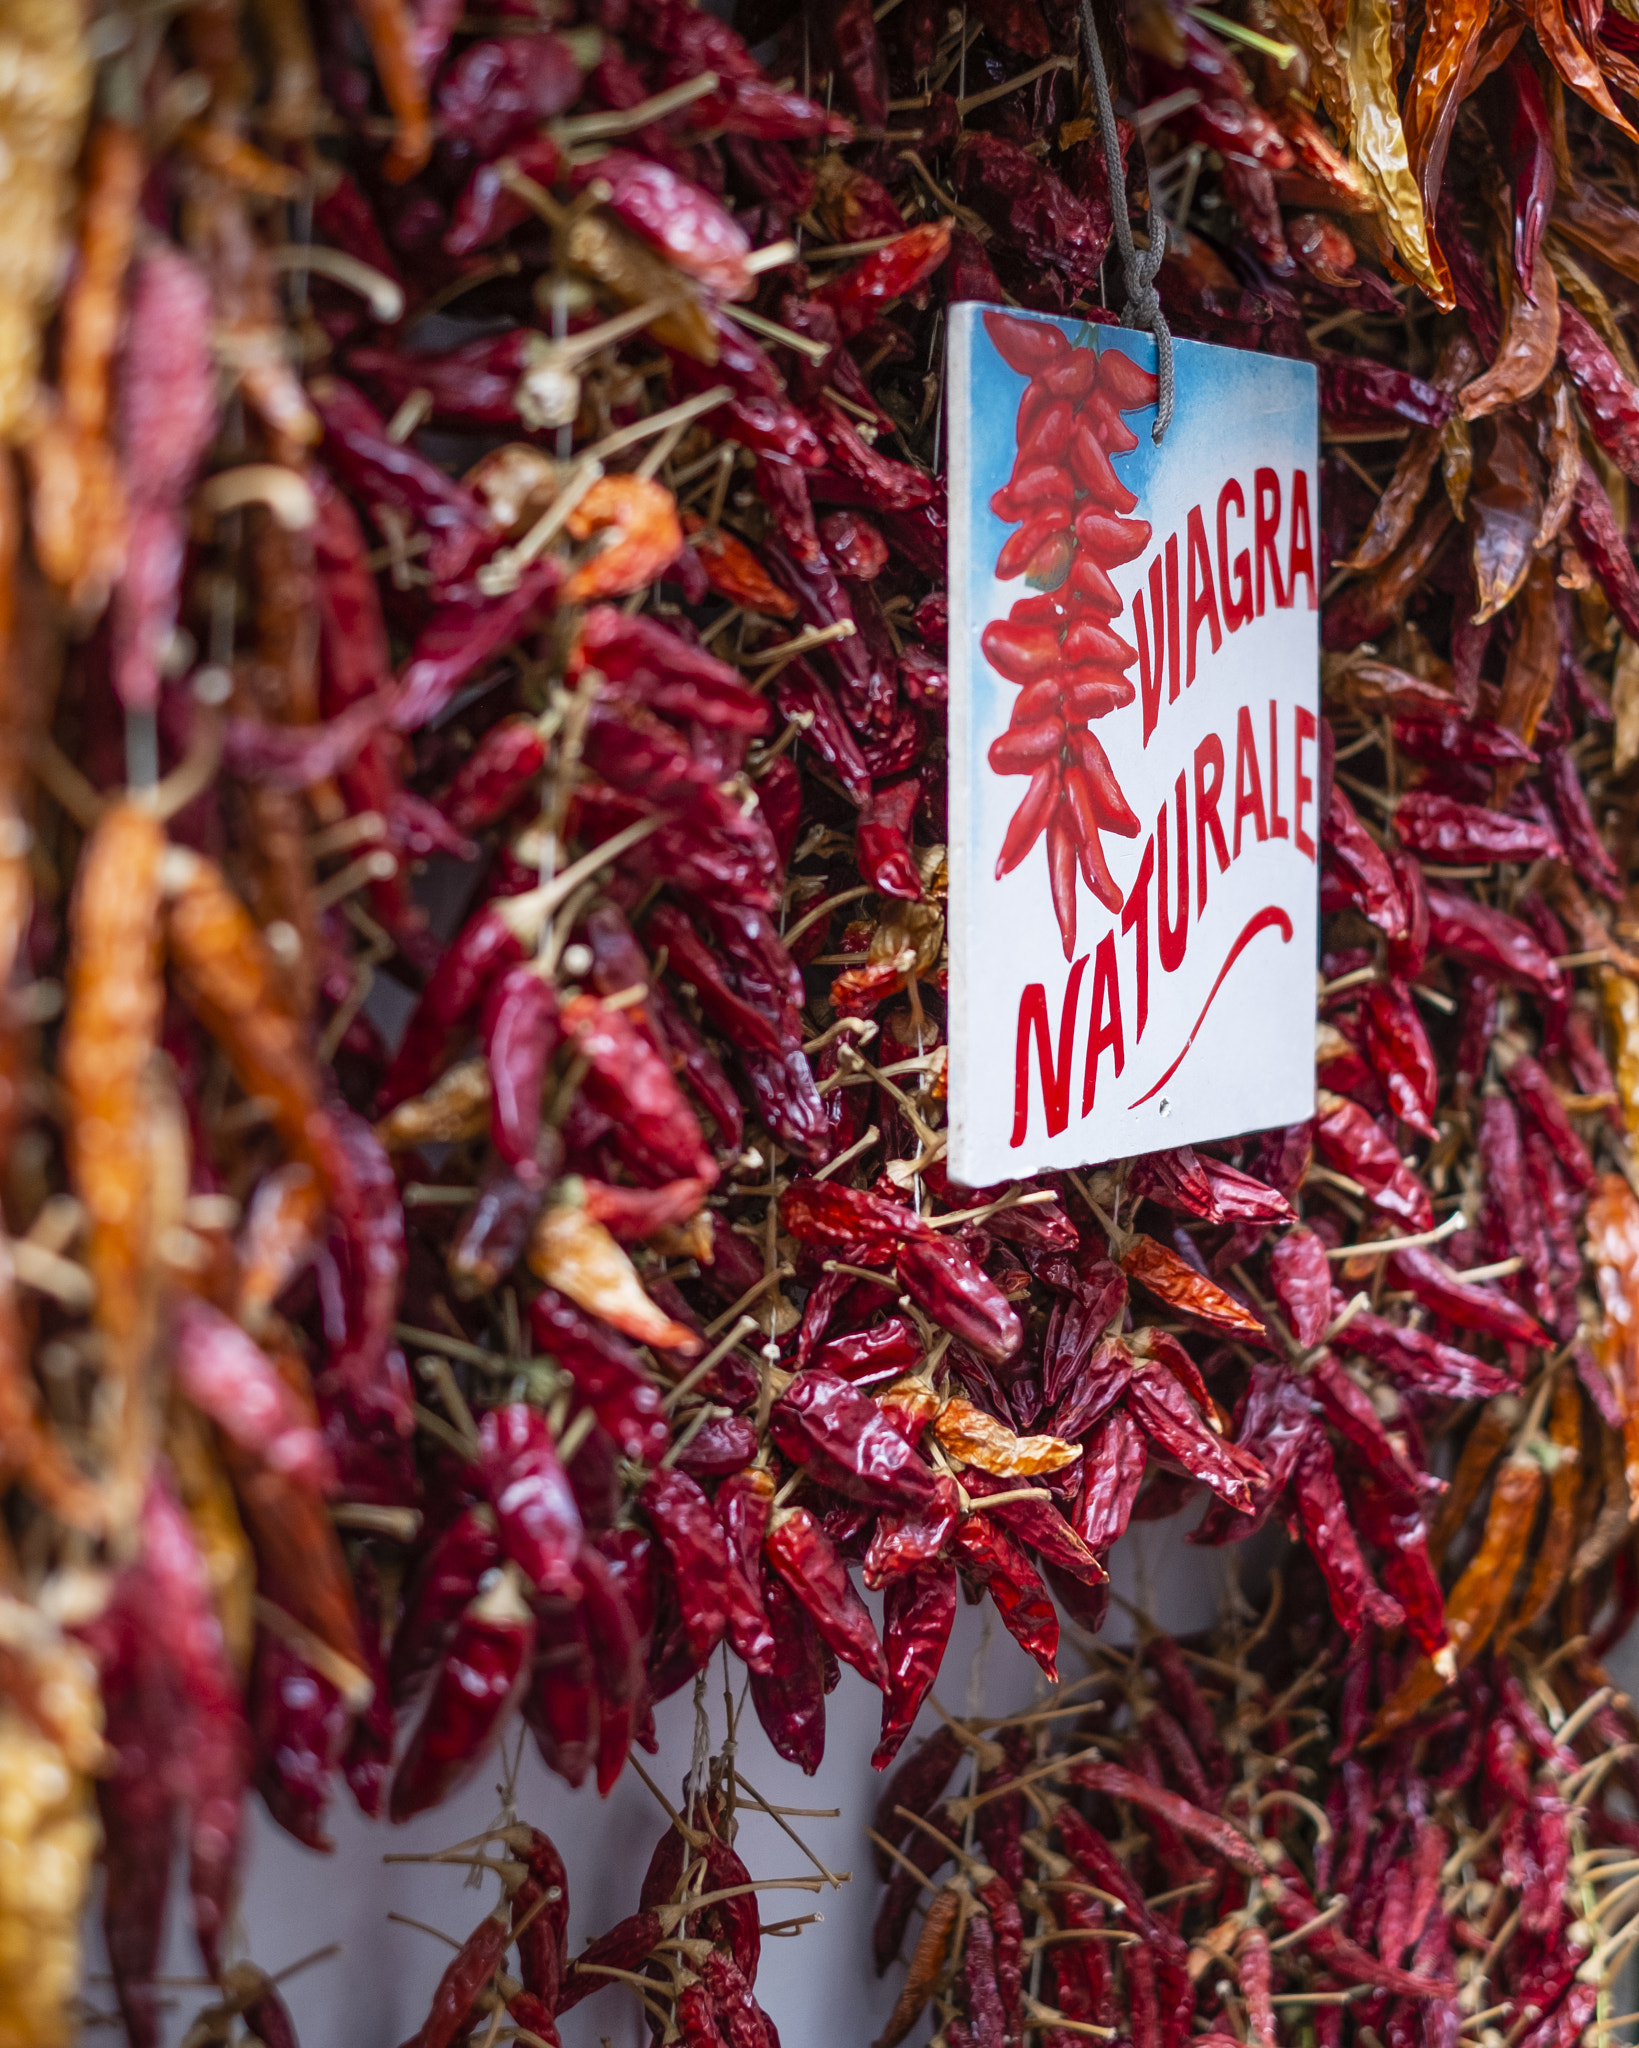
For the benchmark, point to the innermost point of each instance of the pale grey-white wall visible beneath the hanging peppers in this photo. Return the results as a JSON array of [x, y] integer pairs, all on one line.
[[818, 1986]]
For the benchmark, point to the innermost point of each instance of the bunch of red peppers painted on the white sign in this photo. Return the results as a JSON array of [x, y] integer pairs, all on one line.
[[1062, 644]]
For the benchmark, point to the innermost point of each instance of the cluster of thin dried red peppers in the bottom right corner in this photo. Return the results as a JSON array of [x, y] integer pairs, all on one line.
[[1230, 1840]]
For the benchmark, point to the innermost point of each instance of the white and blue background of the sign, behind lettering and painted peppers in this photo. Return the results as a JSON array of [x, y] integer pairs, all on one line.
[[1253, 1062]]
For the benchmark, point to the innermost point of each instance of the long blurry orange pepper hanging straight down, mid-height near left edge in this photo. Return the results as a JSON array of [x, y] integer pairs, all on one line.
[[112, 1027]]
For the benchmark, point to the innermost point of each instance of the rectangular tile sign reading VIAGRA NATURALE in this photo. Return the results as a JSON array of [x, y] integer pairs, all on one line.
[[1134, 753]]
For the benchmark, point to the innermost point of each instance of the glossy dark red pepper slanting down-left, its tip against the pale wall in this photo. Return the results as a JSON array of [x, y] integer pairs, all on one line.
[[478, 1680]]
